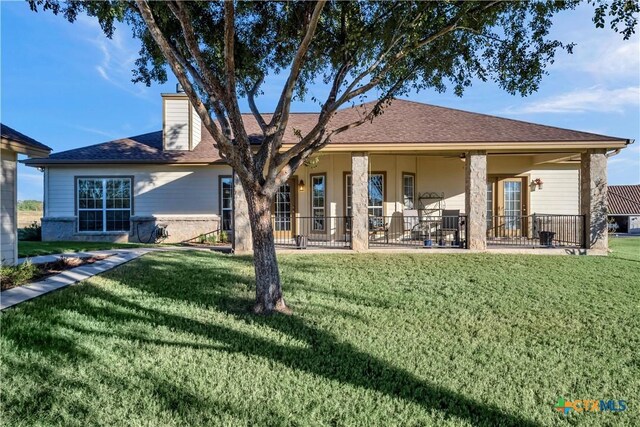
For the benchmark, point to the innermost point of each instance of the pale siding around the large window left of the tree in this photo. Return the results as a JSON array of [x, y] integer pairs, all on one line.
[[157, 189]]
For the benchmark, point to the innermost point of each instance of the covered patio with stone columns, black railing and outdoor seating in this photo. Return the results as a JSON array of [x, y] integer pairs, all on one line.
[[455, 200]]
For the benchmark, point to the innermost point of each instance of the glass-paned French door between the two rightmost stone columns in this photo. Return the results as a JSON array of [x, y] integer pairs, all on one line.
[[507, 199]]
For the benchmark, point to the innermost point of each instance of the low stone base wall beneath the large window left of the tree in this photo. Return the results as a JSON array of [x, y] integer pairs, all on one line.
[[180, 229]]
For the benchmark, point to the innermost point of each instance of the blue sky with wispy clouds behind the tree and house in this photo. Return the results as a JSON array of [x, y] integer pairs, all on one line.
[[67, 86]]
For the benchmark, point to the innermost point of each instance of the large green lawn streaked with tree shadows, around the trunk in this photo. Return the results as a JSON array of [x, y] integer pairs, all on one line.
[[374, 340]]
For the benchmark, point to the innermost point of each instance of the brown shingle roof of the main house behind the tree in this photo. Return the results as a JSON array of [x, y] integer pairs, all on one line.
[[402, 122]]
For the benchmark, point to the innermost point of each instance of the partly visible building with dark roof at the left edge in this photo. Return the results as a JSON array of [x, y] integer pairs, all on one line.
[[12, 143]]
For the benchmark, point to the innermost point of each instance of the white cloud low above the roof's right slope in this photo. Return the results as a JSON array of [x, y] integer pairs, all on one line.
[[595, 98]]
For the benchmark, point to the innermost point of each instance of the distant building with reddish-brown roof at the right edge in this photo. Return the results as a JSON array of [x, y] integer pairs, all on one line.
[[624, 208]]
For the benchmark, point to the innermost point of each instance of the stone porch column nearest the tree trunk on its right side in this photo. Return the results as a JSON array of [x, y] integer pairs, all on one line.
[[360, 201]]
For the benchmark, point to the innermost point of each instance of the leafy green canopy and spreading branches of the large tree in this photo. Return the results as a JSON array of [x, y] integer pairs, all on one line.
[[355, 47]]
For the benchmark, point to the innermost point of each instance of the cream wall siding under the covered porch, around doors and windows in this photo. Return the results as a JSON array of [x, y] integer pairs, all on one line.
[[559, 195]]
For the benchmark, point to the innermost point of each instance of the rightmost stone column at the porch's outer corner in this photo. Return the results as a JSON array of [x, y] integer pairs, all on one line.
[[593, 200]]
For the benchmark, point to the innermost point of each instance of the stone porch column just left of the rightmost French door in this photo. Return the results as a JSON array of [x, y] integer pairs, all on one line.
[[476, 199]]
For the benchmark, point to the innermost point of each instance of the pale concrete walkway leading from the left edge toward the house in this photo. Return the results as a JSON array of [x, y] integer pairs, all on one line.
[[117, 257]]
